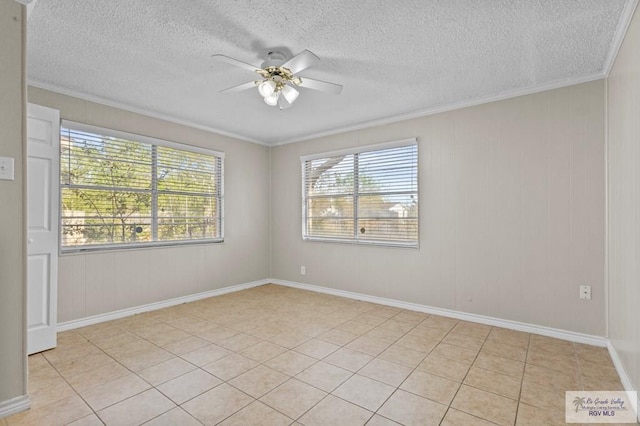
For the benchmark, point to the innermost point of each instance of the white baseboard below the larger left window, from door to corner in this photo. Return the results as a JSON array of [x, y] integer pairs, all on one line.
[[95, 319]]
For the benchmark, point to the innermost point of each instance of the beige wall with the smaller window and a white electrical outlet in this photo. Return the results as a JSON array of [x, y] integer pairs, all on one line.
[[512, 207]]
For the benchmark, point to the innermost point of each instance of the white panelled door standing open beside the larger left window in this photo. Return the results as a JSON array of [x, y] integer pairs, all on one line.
[[43, 165]]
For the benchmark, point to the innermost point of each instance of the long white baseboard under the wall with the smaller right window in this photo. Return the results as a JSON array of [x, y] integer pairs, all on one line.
[[497, 322]]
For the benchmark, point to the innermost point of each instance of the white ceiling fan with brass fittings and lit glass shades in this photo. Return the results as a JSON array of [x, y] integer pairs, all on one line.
[[279, 80]]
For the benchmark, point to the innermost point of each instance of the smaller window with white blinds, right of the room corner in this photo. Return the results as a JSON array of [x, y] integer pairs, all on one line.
[[366, 195]]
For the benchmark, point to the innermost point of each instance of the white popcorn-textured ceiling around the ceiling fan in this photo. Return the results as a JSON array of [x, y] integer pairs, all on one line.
[[394, 59]]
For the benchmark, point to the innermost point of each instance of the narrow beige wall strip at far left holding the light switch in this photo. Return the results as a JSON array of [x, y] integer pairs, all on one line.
[[12, 282]]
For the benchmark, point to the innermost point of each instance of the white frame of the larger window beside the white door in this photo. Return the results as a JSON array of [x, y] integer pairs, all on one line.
[[143, 139]]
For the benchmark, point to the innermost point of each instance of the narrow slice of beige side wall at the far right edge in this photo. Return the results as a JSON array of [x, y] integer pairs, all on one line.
[[623, 154]]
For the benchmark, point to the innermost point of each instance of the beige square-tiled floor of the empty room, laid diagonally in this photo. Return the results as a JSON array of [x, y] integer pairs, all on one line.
[[274, 355]]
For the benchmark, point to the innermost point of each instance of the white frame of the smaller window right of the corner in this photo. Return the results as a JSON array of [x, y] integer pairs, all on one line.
[[354, 240]]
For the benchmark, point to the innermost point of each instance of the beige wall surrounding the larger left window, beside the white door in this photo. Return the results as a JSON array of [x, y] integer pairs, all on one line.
[[95, 283]]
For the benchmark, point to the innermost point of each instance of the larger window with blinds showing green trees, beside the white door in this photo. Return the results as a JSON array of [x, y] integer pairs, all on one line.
[[122, 190]]
